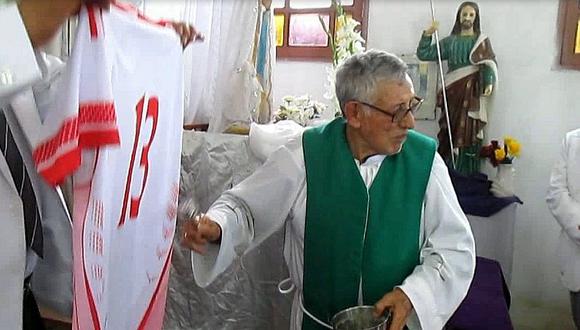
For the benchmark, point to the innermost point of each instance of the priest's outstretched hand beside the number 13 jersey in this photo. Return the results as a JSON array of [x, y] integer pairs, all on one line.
[[198, 232]]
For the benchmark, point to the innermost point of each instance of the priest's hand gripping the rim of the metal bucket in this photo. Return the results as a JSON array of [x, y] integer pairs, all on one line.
[[400, 306]]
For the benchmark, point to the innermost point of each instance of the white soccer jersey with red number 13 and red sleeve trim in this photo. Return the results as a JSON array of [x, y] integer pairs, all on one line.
[[116, 126]]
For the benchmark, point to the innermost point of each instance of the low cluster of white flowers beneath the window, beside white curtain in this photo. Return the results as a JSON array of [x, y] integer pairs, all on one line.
[[300, 109]]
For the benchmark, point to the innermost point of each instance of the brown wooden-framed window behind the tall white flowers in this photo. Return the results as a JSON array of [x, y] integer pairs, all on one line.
[[299, 33]]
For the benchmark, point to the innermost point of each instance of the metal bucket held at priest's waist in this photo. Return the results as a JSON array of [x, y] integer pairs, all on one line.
[[359, 318]]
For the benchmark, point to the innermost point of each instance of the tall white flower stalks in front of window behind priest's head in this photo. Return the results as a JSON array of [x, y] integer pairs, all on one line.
[[346, 42]]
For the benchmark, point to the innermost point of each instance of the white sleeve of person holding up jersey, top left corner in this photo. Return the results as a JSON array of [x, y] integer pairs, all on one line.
[[18, 66]]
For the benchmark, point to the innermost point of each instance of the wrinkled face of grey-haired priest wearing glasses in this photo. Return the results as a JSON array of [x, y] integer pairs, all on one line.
[[385, 122]]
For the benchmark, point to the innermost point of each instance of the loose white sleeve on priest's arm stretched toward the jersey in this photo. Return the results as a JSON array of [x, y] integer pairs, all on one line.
[[252, 211]]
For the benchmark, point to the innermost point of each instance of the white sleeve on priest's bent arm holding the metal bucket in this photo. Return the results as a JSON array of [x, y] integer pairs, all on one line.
[[440, 282]]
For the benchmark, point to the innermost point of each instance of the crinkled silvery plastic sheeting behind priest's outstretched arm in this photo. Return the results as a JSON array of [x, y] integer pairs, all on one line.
[[246, 295]]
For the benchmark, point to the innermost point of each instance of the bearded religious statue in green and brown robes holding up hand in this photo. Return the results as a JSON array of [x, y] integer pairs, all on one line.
[[472, 74]]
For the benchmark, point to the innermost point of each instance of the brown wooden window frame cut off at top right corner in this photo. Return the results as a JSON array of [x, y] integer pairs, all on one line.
[[570, 26]]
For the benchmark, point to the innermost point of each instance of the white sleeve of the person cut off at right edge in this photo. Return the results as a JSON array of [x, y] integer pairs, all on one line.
[[563, 206]]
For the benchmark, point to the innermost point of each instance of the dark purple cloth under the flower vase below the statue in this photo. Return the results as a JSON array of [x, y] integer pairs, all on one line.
[[474, 196]]
